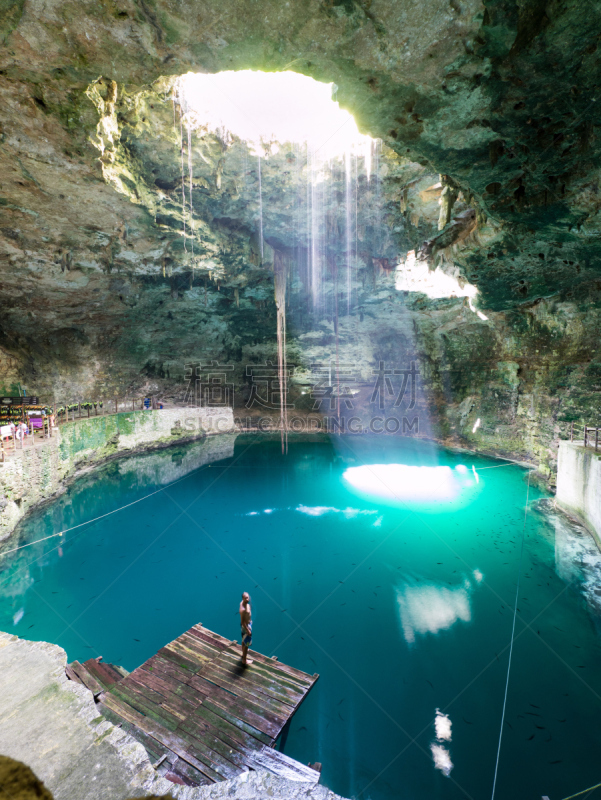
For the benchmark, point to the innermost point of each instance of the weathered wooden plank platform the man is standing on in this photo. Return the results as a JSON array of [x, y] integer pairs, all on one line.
[[199, 713]]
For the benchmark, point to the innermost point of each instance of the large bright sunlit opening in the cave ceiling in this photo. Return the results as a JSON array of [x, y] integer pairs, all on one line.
[[265, 107]]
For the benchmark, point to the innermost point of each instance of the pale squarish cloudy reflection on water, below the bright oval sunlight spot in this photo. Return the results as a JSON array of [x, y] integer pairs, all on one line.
[[431, 607]]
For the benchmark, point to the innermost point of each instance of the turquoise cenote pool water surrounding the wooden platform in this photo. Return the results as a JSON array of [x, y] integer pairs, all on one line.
[[386, 565]]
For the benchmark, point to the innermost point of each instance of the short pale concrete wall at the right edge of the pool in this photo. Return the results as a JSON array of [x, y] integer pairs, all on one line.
[[579, 484]]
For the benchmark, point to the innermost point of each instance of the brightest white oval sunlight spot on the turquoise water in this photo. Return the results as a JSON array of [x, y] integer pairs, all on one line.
[[412, 485]]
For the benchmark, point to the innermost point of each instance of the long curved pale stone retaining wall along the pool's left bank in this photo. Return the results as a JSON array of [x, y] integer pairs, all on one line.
[[35, 474]]
